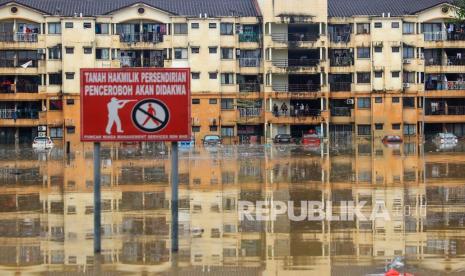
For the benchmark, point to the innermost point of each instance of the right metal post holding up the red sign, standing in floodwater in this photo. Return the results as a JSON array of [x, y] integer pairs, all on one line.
[[174, 197]]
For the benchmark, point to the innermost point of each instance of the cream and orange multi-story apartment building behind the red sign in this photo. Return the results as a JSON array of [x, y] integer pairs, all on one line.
[[259, 68]]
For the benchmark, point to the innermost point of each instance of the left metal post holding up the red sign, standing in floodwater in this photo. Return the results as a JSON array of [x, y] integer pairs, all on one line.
[[97, 199]]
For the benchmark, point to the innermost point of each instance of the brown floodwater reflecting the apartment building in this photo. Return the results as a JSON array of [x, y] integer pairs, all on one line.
[[46, 205]]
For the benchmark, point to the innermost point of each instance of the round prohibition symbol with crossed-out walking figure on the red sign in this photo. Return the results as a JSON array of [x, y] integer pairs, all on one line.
[[150, 115]]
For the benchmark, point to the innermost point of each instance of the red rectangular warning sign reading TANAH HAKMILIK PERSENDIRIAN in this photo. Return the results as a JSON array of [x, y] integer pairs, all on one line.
[[135, 104]]
